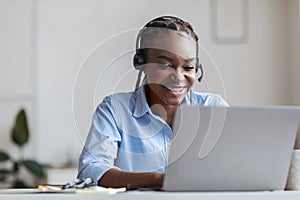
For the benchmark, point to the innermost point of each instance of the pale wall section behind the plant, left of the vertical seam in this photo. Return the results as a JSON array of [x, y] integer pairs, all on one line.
[[16, 68]]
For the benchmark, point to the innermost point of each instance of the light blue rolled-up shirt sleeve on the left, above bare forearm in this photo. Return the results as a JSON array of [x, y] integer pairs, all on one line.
[[101, 146]]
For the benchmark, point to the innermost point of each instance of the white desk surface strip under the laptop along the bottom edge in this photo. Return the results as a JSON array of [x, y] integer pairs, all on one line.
[[150, 195]]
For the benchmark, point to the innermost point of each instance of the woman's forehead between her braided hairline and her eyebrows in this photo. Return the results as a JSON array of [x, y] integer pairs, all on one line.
[[175, 42]]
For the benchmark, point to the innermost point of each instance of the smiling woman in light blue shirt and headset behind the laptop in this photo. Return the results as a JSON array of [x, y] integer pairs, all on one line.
[[128, 143]]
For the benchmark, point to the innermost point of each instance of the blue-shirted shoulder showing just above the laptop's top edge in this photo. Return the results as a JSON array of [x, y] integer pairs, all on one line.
[[209, 99]]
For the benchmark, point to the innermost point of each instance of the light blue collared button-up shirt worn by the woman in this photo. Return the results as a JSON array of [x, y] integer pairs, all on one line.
[[125, 134]]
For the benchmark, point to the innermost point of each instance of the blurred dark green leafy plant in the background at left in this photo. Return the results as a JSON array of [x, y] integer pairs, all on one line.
[[11, 171]]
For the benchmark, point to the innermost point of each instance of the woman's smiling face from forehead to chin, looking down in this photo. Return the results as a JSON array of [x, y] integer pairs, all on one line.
[[170, 69]]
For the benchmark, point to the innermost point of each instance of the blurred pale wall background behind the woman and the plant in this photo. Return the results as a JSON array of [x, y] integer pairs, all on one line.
[[59, 58]]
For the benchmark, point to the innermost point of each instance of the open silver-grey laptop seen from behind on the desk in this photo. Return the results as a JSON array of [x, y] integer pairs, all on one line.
[[231, 148]]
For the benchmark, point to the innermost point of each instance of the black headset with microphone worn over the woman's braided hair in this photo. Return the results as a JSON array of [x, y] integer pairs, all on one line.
[[139, 59]]
